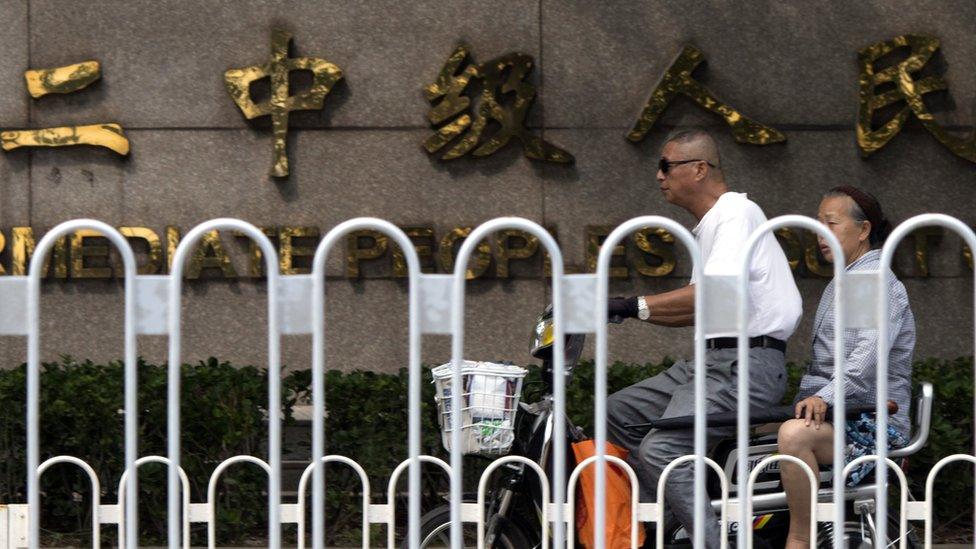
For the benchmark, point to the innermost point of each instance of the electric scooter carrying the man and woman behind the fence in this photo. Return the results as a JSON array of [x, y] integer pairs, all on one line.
[[515, 500]]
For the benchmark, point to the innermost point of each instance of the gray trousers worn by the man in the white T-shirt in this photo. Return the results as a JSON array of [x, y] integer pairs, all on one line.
[[672, 394]]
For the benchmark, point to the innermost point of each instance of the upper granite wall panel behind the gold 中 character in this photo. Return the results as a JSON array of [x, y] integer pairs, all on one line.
[[387, 50]]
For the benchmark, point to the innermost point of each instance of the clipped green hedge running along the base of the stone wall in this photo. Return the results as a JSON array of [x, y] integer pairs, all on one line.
[[223, 410]]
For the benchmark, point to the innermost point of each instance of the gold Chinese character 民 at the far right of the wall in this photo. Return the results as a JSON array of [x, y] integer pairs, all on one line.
[[907, 89]]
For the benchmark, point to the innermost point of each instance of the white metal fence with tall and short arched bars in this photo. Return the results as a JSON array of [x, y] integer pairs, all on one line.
[[436, 304]]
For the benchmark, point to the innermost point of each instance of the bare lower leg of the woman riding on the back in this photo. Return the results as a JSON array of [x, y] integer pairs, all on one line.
[[813, 446]]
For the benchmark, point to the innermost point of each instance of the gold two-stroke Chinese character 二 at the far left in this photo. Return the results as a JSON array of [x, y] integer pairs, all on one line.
[[68, 79]]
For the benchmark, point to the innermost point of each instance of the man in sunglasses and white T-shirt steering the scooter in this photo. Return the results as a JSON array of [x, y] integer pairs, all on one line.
[[690, 176]]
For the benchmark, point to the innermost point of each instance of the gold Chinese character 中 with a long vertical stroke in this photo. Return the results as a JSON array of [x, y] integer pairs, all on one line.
[[238, 82]]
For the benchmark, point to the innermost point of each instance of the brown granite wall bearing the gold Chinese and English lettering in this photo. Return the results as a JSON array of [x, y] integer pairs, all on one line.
[[194, 156]]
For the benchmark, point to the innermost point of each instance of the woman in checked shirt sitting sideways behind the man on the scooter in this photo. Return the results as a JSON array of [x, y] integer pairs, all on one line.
[[856, 220]]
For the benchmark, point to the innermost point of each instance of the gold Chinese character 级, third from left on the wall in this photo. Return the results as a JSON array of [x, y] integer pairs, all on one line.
[[499, 77]]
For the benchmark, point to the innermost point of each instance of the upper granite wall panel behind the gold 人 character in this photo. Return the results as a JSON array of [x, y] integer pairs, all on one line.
[[782, 63]]
